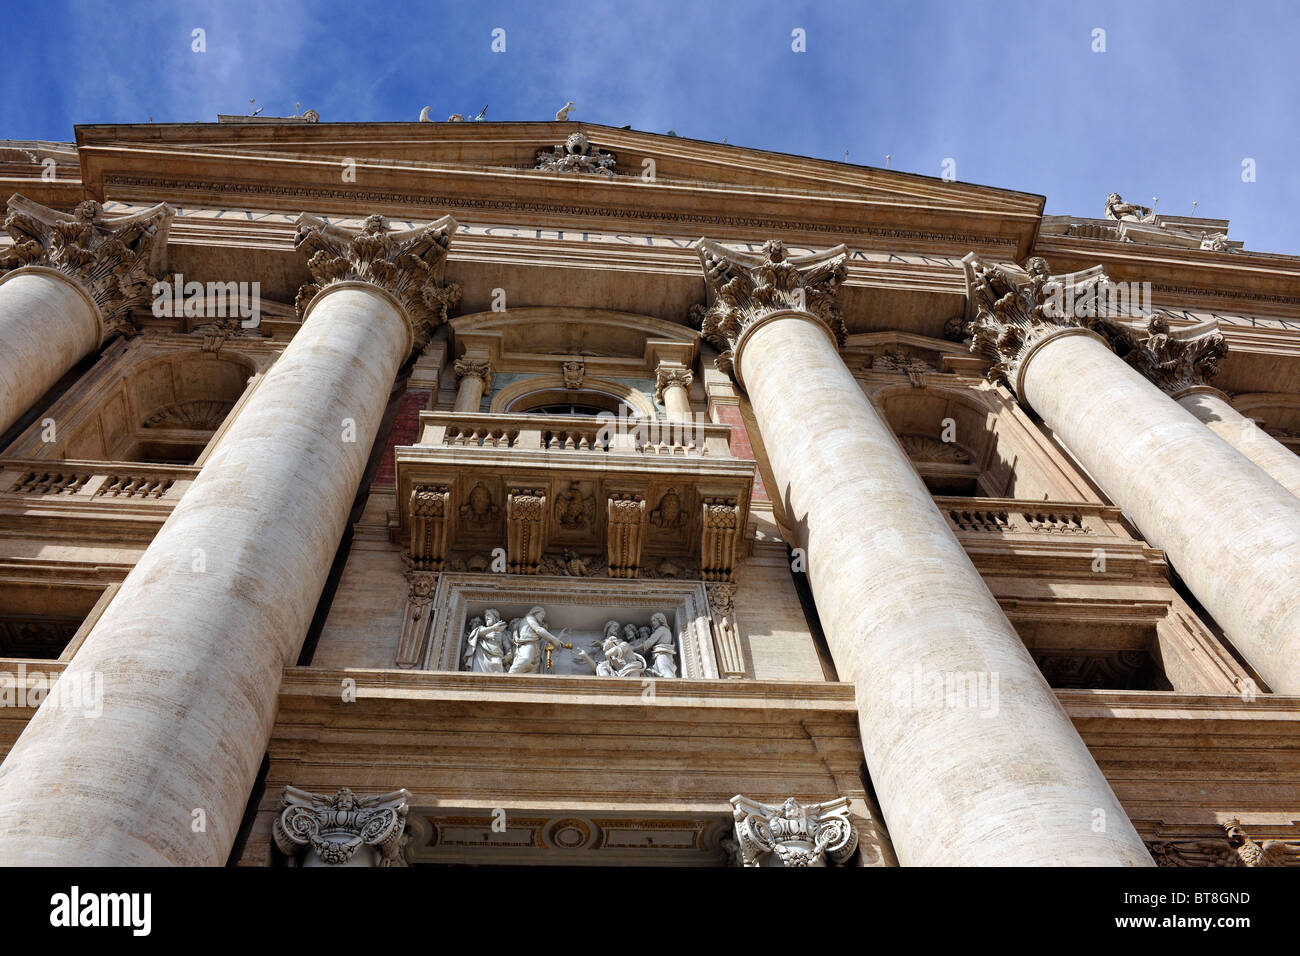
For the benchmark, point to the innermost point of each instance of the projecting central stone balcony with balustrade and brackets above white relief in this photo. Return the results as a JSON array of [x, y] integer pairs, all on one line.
[[643, 499]]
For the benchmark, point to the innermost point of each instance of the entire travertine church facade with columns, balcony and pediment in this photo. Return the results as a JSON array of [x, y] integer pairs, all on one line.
[[504, 507]]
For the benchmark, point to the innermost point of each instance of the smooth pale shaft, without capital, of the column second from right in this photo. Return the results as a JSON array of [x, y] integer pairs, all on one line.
[[1232, 533]]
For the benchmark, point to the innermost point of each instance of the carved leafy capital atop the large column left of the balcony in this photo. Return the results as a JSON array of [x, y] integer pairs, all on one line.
[[406, 265]]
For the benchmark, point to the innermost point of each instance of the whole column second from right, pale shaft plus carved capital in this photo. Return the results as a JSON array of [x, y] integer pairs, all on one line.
[[1230, 531]]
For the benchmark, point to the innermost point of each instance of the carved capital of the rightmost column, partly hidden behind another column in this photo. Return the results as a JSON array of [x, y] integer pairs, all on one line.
[[1173, 360]]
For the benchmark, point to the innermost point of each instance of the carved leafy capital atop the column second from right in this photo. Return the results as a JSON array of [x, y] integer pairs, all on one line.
[[1011, 310]]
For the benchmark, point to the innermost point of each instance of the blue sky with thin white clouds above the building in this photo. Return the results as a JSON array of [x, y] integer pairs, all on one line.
[[1012, 92]]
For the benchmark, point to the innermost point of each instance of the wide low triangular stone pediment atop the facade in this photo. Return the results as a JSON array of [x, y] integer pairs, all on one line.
[[413, 168]]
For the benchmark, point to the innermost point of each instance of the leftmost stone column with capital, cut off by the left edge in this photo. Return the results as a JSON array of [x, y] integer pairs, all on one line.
[[72, 283]]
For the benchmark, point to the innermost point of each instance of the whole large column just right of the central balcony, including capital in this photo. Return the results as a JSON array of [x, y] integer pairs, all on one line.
[[1002, 778]]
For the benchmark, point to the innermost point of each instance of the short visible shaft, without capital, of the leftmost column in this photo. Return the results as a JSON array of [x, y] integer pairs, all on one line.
[[47, 325]]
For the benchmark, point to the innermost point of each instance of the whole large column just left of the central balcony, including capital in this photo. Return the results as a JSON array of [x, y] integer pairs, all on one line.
[[192, 650]]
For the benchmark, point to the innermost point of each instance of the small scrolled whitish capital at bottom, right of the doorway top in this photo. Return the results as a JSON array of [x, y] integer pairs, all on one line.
[[794, 834]]
